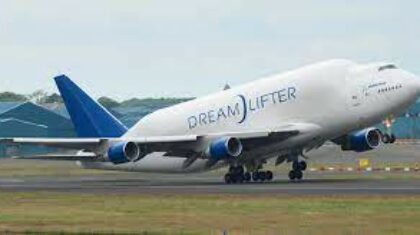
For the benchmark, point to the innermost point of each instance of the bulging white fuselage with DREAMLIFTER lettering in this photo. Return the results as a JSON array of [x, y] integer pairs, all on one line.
[[339, 96]]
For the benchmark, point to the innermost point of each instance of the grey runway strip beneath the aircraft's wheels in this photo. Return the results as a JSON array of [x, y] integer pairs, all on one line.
[[315, 184]]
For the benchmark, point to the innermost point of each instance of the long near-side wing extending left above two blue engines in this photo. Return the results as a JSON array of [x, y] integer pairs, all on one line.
[[170, 144]]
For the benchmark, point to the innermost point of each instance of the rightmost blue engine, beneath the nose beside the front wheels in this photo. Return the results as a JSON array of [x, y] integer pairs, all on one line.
[[363, 140]]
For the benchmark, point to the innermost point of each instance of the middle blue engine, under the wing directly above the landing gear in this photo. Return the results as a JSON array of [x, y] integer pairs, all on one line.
[[224, 147]]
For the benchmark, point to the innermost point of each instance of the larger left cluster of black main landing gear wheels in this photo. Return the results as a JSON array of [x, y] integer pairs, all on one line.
[[237, 174]]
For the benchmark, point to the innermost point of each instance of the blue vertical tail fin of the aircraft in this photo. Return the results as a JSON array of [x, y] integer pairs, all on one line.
[[89, 118]]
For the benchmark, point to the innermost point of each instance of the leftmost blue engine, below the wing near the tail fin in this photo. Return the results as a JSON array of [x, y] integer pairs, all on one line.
[[123, 152]]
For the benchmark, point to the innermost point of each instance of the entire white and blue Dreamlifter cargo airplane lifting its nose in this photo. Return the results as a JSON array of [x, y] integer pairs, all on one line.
[[280, 117]]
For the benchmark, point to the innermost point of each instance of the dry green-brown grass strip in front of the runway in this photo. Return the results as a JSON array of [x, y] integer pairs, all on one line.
[[207, 214]]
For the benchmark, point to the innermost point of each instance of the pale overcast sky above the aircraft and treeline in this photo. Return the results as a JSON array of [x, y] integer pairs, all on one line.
[[158, 48]]
